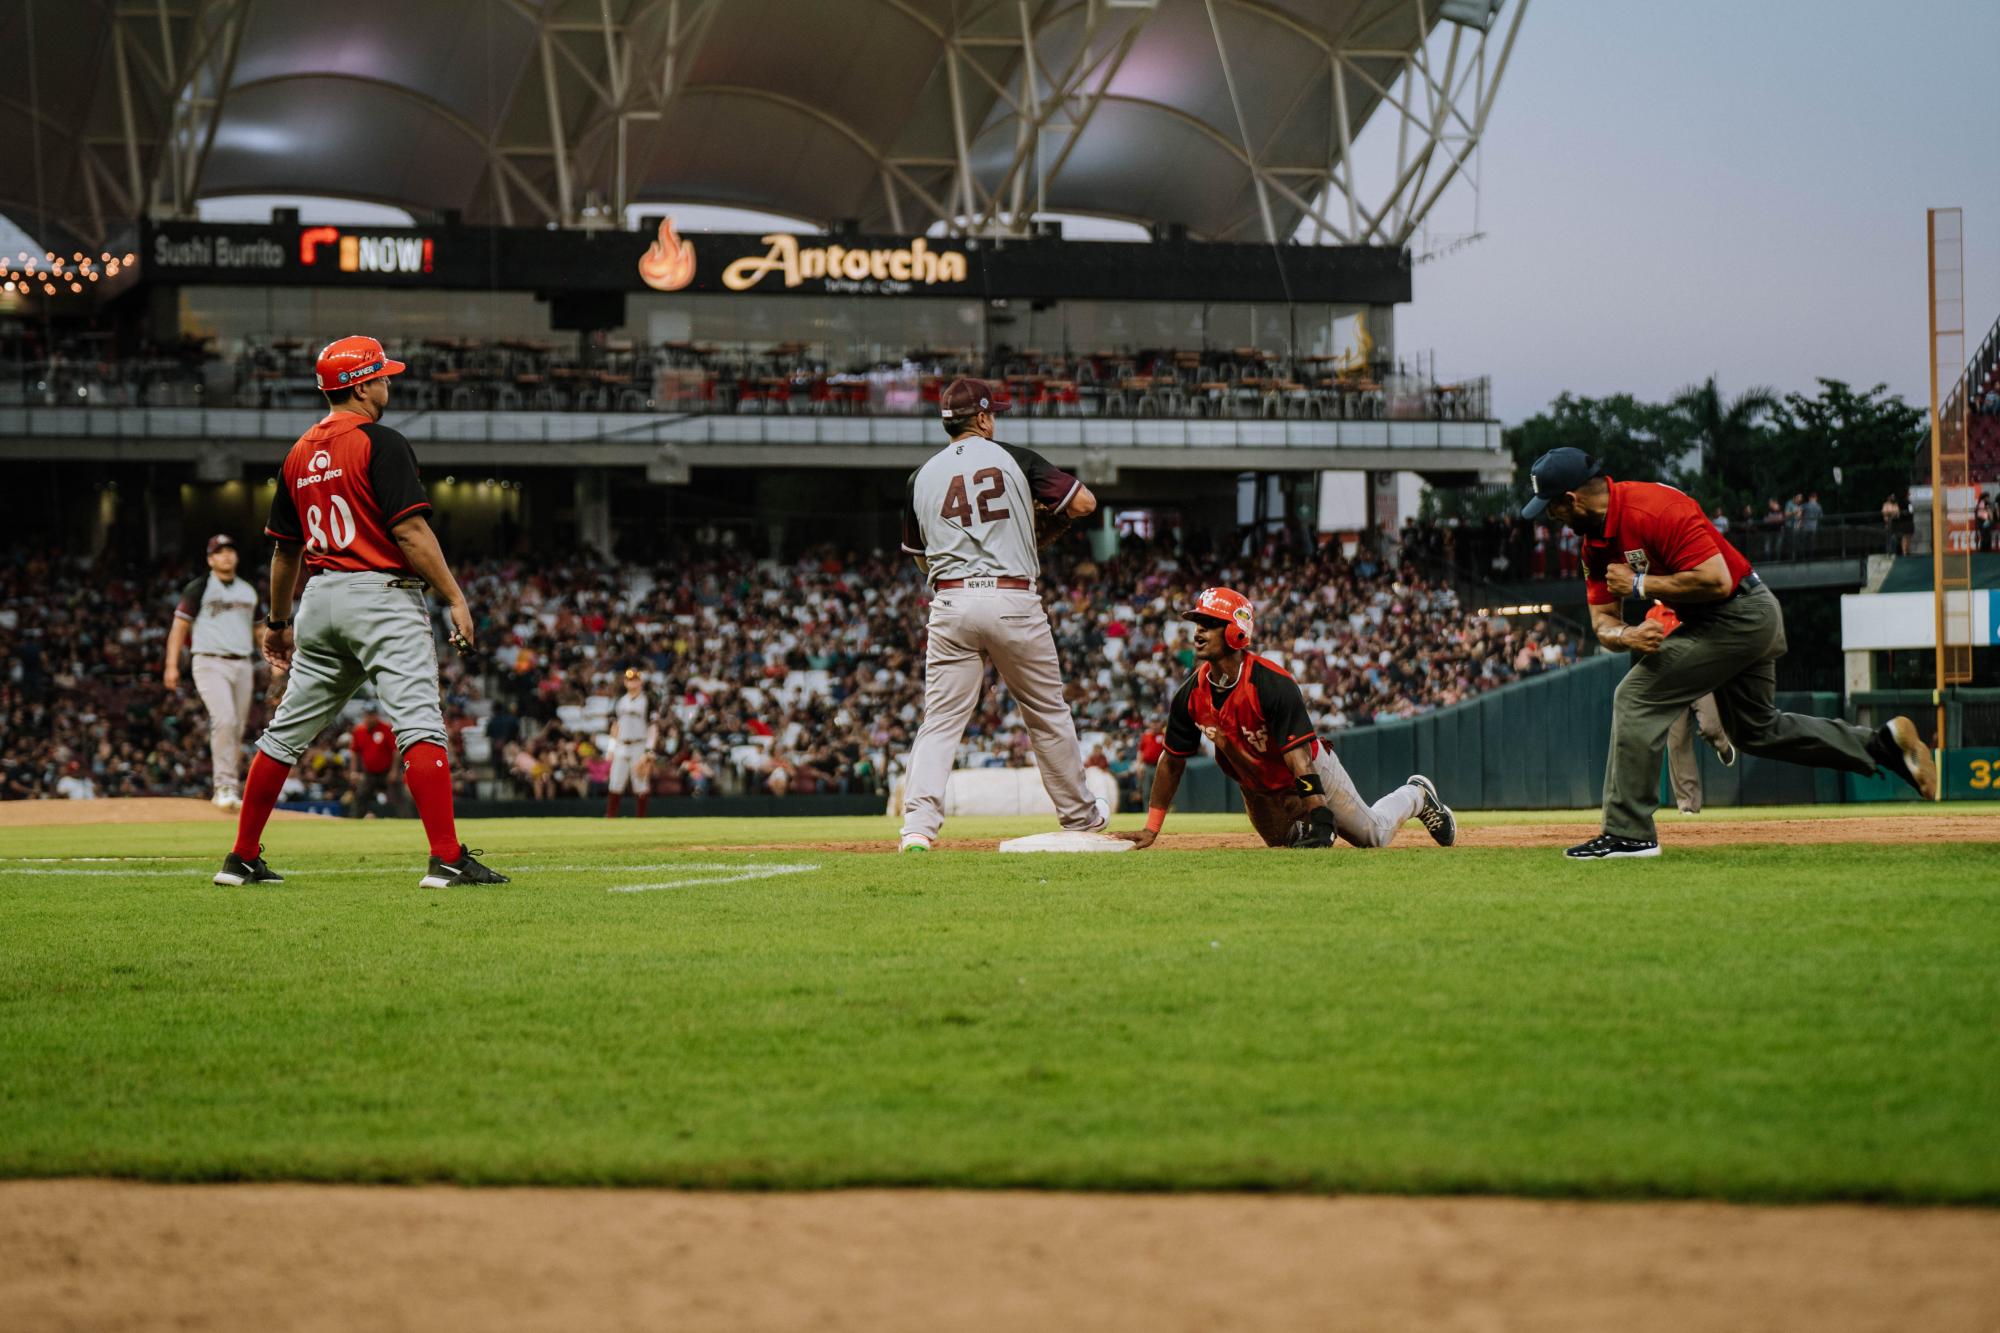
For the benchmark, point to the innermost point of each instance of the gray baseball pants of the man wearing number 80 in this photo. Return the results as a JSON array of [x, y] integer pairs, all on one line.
[[353, 629]]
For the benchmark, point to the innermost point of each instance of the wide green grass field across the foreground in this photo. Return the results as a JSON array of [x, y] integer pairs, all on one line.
[[1811, 1022]]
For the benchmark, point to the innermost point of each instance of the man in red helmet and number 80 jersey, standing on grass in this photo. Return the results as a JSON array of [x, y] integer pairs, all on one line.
[[351, 503]]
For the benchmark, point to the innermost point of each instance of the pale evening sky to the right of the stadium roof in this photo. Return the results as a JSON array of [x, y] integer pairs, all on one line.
[[1677, 189]]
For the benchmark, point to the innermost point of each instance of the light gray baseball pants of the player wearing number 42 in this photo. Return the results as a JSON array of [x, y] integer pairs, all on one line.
[[1007, 627]]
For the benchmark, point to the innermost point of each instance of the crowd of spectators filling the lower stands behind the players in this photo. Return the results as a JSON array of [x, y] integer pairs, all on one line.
[[769, 678]]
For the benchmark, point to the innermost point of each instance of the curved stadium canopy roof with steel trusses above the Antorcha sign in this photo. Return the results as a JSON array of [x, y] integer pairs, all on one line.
[[1233, 119]]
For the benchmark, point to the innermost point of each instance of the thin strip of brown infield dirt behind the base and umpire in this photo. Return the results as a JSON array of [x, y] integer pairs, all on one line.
[[1675, 832]]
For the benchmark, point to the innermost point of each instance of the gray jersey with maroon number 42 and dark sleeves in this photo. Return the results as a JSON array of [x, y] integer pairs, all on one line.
[[971, 509]]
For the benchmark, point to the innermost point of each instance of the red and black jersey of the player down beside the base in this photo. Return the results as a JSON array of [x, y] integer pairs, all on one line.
[[1253, 722]]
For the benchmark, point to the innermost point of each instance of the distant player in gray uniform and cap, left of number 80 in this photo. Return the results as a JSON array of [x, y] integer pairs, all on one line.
[[217, 611]]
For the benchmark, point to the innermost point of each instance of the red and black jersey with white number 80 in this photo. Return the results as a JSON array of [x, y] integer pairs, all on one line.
[[343, 489]]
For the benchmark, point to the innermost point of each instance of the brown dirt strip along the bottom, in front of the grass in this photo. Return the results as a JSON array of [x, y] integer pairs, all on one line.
[[119, 1256]]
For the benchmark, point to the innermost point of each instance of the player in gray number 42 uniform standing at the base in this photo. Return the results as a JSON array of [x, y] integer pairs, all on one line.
[[971, 523]]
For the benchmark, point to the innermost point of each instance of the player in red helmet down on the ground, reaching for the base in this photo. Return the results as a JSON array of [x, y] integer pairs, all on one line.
[[1255, 716]]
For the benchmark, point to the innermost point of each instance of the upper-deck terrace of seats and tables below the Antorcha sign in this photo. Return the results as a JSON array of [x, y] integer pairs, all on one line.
[[619, 375]]
